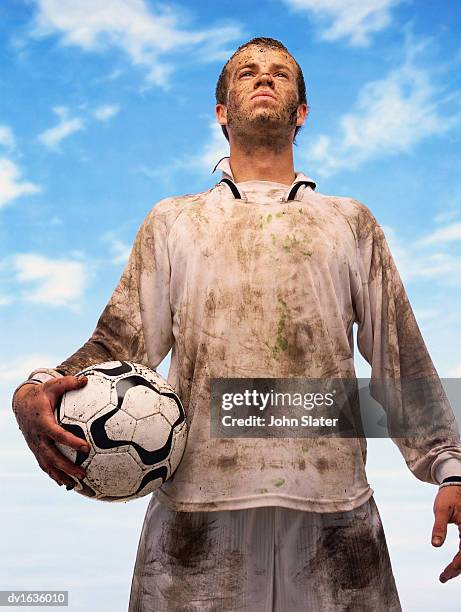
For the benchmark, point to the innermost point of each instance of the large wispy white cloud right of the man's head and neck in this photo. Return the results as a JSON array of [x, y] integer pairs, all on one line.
[[391, 116]]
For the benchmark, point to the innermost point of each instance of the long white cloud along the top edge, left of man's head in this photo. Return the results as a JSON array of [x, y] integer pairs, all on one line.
[[143, 31]]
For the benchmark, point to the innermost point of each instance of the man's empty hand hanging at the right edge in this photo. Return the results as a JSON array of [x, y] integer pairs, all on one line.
[[447, 509]]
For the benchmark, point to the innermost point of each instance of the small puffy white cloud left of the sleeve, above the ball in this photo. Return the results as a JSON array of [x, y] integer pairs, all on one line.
[[56, 282]]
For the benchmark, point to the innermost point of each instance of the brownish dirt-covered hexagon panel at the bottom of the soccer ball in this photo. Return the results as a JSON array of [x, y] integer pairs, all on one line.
[[114, 474]]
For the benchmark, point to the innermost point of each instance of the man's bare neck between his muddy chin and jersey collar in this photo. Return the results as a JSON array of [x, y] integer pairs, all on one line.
[[262, 164]]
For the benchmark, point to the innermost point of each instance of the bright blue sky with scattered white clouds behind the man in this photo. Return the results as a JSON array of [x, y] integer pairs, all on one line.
[[107, 106]]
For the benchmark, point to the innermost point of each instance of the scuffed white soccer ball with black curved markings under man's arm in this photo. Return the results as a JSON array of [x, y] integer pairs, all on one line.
[[135, 425]]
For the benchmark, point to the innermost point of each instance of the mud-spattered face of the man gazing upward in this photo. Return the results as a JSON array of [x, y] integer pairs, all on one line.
[[262, 105]]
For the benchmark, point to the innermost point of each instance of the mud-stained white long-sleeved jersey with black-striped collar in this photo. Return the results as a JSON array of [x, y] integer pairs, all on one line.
[[264, 280]]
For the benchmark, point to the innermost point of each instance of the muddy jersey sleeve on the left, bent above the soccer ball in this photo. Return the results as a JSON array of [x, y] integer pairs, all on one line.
[[136, 324]]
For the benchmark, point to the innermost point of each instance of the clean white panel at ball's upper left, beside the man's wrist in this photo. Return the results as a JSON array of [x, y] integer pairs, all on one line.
[[83, 403]]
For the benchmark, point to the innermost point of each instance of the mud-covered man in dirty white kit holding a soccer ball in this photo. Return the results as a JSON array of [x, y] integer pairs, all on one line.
[[260, 277]]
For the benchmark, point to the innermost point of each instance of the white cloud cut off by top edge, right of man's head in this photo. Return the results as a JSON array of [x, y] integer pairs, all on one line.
[[355, 20]]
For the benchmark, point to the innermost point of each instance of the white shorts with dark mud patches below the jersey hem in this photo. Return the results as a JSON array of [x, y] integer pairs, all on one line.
[[267, 559]]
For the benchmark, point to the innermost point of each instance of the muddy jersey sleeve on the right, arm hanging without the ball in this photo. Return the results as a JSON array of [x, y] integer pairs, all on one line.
[[403, 378]]
